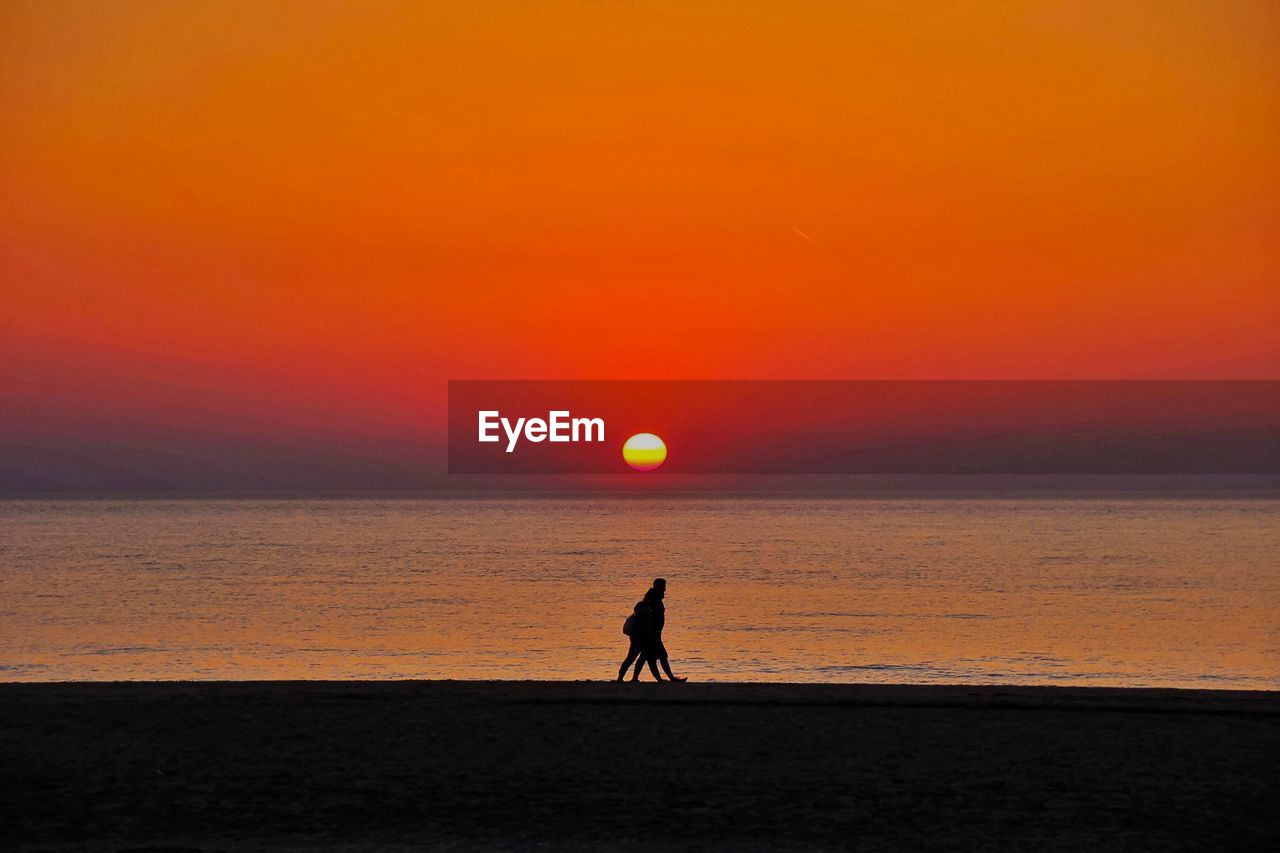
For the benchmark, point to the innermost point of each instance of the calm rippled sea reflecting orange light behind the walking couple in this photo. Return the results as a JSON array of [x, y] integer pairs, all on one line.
[[1080, 591]]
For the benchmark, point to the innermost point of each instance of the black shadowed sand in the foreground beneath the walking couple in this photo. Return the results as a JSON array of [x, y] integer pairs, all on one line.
[[362, 767]]
